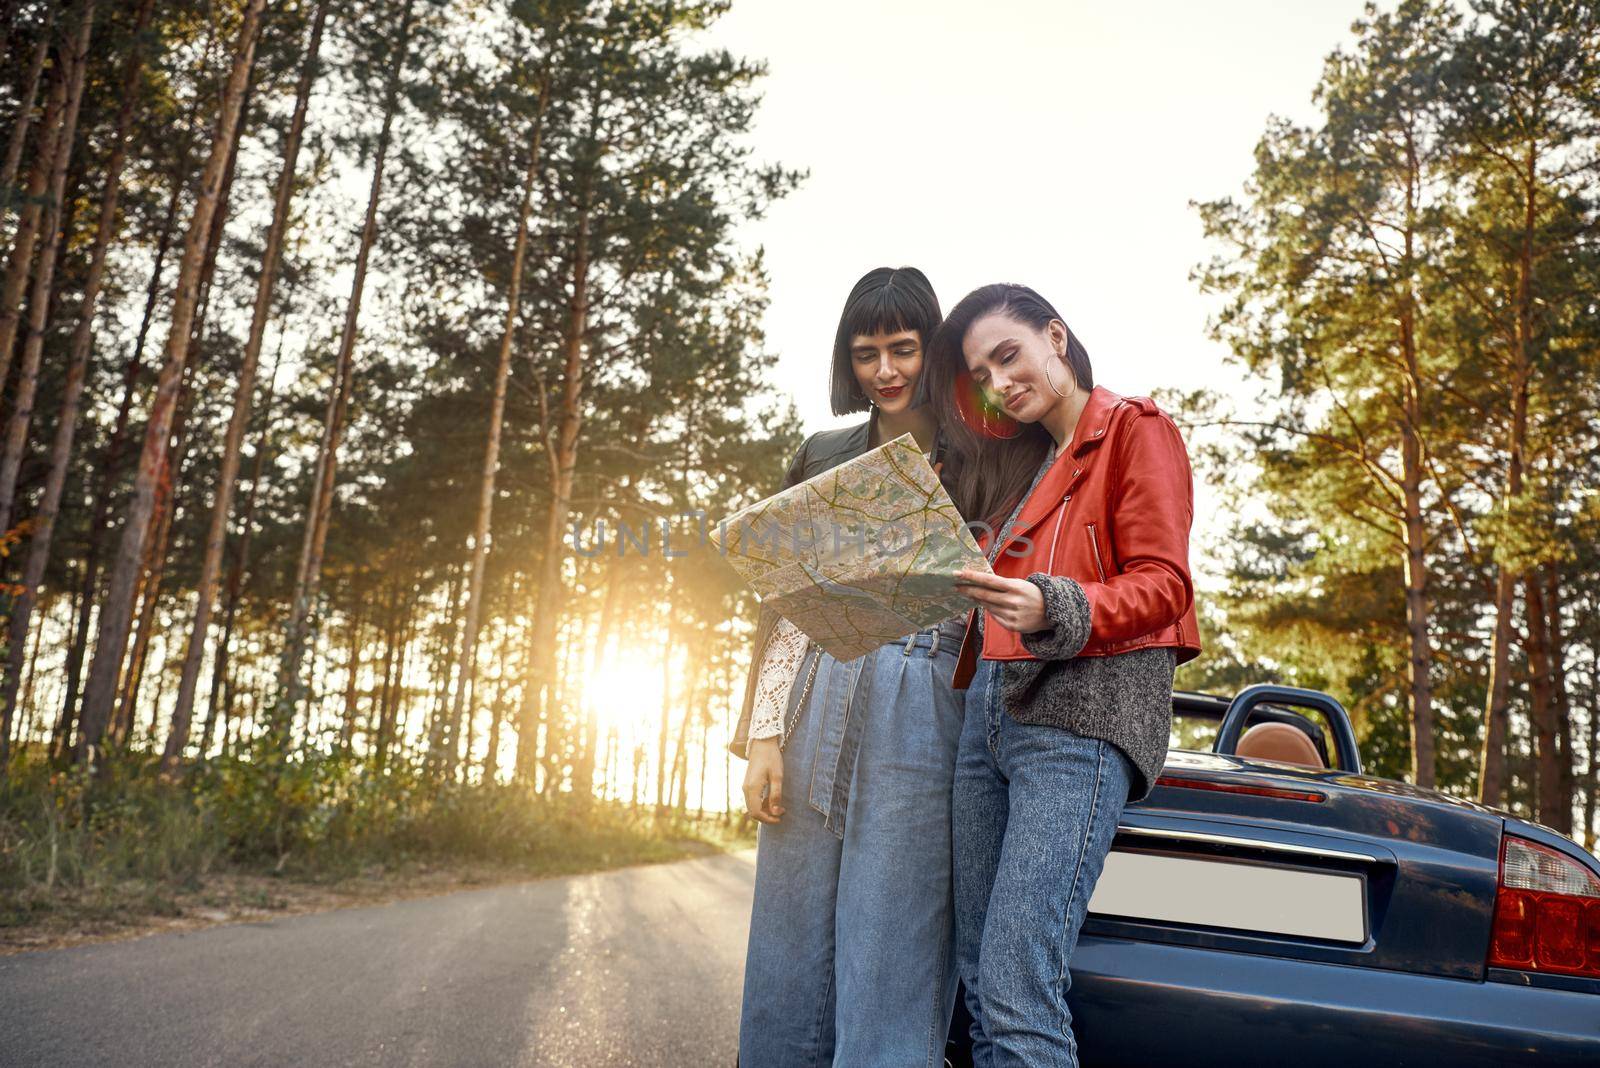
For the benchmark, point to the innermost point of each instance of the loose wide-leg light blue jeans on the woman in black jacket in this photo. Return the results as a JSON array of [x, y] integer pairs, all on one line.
[[850, 957]]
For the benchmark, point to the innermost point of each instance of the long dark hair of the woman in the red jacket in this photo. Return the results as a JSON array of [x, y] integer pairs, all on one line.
[[996, 468]]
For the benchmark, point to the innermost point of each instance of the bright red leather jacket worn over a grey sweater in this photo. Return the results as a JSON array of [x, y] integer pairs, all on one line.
[[1113, 512]]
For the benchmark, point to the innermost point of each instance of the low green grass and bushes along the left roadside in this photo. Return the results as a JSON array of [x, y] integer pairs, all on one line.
[[137, 839]]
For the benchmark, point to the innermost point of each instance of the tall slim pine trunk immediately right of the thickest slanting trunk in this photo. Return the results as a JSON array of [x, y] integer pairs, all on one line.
[[244, 394]]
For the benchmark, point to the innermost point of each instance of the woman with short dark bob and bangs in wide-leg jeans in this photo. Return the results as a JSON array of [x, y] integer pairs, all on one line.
[[850, 955]]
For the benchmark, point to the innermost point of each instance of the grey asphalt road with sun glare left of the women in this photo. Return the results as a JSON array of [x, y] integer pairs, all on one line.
[[639, 966]]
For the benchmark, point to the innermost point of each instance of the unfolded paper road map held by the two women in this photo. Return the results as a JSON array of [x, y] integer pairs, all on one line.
[[860, 556]]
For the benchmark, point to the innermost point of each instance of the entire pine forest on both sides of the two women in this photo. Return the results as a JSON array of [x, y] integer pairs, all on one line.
[[327, 327]]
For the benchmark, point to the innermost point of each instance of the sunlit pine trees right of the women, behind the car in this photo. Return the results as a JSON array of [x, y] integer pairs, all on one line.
[[1414, 287]]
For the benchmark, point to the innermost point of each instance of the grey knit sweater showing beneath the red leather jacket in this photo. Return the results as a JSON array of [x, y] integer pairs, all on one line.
[[1126, 699]]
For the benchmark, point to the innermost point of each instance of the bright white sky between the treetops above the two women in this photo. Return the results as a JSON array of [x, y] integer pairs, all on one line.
[[1054, 145]]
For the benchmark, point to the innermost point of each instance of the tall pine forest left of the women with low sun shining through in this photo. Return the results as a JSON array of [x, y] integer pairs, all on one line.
[[324, 322]]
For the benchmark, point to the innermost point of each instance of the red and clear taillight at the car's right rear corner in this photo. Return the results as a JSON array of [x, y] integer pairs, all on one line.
[[1546, 912]]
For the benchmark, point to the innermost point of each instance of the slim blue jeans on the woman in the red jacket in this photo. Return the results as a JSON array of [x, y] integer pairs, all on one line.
[[1036, 813]]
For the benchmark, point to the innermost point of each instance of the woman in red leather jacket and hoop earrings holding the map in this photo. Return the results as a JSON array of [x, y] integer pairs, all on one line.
[[1086, 501]]
